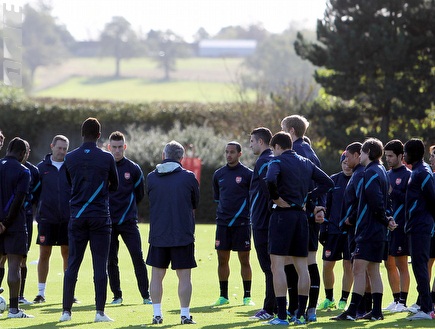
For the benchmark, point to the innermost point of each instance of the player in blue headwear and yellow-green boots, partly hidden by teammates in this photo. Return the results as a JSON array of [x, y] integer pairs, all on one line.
[[334, 240]]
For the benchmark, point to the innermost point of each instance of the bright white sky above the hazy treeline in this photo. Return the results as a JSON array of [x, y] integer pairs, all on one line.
[[85, 19]]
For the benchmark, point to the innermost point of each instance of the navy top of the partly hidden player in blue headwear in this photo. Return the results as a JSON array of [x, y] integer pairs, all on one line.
[[334, 202]]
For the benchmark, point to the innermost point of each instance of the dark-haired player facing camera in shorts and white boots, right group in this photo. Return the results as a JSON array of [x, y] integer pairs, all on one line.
[[397, 262]]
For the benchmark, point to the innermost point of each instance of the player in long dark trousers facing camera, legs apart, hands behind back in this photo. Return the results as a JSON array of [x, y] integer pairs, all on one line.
[[123, 212]]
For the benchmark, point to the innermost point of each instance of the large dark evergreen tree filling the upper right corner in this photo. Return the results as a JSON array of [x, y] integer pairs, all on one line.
[[378, 53]]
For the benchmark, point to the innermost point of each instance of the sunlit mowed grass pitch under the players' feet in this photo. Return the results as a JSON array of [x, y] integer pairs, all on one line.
[[133, 314]]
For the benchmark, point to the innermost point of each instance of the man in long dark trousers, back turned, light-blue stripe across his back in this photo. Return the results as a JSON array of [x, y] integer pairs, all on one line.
[[93, 174]]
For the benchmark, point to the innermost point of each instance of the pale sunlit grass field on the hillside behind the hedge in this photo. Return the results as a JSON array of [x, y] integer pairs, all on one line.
[[195, 79]]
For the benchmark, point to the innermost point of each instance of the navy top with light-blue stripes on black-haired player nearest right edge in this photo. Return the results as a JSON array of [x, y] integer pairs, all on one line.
[[420, 200]]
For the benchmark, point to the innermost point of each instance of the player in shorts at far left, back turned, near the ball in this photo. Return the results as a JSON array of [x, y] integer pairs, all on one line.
[[14, 186]]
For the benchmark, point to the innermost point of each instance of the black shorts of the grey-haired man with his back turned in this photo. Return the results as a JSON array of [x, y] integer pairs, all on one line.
[[182, 257]]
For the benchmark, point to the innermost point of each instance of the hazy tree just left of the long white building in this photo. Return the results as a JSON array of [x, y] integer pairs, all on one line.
[[165, 48]]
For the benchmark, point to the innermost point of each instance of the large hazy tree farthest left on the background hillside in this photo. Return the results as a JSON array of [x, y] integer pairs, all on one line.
[[43, 39]]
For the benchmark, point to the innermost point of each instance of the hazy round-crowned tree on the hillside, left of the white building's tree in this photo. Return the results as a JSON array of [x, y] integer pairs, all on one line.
[[119, 40]]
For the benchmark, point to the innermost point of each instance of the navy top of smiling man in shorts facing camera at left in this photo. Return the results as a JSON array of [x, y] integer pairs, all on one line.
[[52, 193]]
